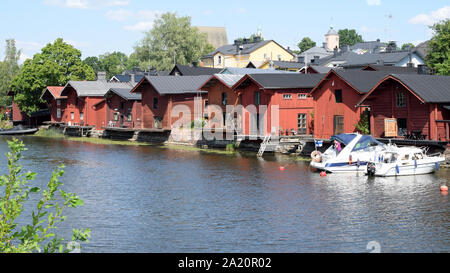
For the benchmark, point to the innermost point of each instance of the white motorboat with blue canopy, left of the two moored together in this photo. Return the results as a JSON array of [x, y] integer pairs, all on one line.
[[349, 153]]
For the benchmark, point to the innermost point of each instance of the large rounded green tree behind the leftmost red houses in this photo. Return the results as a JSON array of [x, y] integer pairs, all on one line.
[[55, 65]]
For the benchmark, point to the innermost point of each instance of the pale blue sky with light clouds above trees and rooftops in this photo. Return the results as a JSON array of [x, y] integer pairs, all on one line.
[[99, 26]]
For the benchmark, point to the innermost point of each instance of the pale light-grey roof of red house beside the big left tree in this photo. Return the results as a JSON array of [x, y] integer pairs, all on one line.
[[94, 88]]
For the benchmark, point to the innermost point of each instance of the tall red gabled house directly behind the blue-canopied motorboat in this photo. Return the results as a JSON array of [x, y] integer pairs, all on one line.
[[336, 97]]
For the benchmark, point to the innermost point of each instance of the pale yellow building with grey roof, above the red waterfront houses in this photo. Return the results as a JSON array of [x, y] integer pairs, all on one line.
[[239, 55]]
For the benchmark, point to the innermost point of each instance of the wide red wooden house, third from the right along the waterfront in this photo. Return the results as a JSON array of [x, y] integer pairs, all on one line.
[[288, 92]]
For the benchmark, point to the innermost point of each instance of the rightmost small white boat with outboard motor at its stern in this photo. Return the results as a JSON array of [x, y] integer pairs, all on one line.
[[404, 161]]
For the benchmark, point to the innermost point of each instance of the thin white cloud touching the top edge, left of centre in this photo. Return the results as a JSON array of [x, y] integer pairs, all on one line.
[[87, 4]]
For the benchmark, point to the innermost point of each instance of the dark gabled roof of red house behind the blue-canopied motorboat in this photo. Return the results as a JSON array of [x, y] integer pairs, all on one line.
[[361, 81]]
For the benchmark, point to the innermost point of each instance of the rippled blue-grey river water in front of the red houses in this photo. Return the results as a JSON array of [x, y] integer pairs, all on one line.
[[150, 199]]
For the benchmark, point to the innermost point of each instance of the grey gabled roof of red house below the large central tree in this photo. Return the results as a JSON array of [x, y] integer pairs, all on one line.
[[175, 85]]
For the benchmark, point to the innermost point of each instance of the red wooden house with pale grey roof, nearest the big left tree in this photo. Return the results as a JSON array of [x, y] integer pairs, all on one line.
[[82, 99]]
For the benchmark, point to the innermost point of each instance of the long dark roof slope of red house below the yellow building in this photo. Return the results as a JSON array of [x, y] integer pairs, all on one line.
[[279, 81]]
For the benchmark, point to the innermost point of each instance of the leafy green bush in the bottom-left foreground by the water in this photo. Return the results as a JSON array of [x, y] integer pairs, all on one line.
[[38, 235]]
